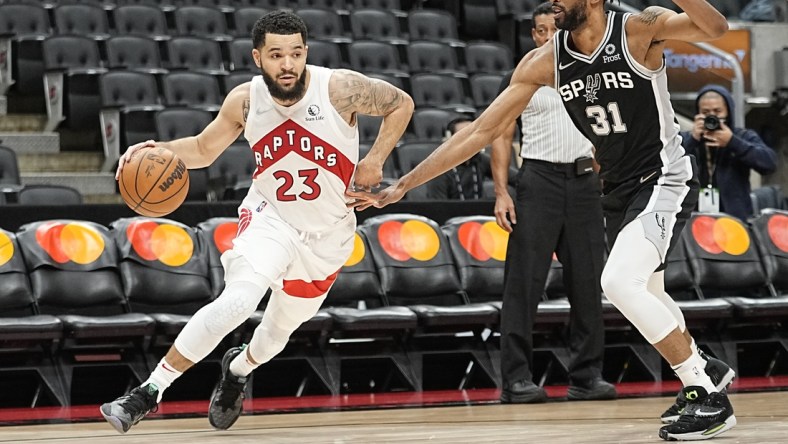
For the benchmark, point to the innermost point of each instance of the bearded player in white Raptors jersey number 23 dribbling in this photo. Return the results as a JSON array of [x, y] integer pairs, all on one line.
[[295, 229]]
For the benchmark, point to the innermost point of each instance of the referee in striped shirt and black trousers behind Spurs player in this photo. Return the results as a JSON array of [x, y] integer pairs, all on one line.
[[557, 209]]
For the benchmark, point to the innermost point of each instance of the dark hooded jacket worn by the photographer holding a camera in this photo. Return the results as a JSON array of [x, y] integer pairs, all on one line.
[[746, 150]]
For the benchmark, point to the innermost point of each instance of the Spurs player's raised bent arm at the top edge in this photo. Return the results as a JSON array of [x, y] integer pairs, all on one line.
[[699, 22]]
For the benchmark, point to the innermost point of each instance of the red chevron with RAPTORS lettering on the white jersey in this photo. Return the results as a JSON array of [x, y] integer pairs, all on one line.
[[291, 138]]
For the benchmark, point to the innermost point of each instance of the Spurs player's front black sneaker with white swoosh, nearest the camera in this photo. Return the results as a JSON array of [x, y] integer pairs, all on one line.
[[705, 416]]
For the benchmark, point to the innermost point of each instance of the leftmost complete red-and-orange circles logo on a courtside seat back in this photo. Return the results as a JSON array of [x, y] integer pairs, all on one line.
[[72, 241]]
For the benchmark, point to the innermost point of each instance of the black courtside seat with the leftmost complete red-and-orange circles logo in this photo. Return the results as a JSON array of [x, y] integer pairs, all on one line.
[[73, 273]]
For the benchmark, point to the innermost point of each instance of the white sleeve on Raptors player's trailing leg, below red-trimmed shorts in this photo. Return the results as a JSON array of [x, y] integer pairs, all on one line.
[[283, 315]]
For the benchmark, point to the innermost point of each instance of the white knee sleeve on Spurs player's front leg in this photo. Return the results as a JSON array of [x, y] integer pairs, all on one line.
[[625, 278]]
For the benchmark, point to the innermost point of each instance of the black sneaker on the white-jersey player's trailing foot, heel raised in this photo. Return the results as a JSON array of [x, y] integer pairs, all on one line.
[[227, 400]]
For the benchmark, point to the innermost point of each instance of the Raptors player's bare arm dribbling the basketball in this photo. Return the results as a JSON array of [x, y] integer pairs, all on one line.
[[201, 150]]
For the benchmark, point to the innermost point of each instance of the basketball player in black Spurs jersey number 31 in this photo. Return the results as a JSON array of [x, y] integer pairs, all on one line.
[[610, 71]]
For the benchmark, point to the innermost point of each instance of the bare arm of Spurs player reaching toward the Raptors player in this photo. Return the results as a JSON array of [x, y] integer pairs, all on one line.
[[534, 70]]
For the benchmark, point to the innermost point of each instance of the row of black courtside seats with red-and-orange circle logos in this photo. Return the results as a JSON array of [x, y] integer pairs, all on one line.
[[71, 288]]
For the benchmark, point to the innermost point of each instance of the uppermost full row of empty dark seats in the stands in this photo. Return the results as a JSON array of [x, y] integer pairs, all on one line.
[[96, 22]]
